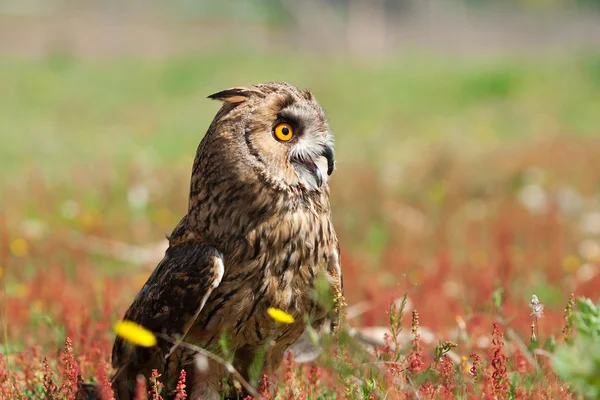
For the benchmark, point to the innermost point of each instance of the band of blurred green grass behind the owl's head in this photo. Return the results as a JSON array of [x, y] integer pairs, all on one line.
[[59, 112]]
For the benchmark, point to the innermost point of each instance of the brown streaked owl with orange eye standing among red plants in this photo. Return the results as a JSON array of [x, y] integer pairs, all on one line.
[[257, 234]]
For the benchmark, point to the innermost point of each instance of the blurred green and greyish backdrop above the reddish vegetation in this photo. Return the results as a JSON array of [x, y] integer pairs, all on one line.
[[89, 80]]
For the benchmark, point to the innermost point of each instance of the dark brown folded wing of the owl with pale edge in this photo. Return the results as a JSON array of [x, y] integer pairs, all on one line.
[[170, 302]]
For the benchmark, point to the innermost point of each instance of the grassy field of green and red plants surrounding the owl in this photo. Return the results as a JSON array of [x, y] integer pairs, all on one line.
[[468, 186]]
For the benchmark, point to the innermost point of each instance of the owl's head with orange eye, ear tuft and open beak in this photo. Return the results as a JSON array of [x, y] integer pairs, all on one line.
[[274, 131]]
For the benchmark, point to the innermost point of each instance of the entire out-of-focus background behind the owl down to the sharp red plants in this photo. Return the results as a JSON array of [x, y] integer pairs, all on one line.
[[467, 139]]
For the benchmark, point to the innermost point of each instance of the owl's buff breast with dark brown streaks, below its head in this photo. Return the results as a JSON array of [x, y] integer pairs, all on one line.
[[282, 262]]
